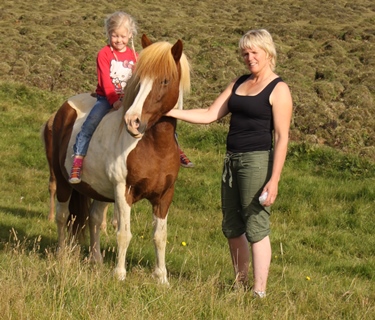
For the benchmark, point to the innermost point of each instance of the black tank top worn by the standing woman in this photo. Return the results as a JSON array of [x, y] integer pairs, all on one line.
[[251, 122]]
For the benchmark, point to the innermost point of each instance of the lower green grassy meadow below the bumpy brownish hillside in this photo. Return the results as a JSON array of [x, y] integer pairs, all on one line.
[[322, 236]]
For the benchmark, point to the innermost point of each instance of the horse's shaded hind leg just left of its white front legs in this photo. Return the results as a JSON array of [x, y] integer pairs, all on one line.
[[97, 213]]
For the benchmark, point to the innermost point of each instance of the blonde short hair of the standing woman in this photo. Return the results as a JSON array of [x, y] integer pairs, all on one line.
[[262, 39]]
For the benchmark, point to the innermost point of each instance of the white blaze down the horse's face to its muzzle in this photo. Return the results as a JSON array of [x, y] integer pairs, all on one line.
[[133, 115]]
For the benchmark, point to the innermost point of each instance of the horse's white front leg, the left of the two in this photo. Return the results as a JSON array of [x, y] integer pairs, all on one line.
[[122, 212]]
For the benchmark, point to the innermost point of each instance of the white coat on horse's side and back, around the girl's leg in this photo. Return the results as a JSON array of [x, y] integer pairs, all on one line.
[[105, 154]]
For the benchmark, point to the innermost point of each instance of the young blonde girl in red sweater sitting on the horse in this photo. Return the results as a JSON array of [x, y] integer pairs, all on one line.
[[115, 63]]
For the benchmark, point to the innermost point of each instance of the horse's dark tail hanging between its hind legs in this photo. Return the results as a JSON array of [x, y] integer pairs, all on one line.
[[79, 206]]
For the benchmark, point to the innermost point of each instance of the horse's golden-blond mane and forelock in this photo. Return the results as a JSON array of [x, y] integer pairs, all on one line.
[[156, 61]]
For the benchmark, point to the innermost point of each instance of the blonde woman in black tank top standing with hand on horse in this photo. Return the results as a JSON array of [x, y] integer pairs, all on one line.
[[261, 105]]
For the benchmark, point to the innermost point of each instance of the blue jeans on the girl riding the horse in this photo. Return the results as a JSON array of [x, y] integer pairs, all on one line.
[[100, 109]]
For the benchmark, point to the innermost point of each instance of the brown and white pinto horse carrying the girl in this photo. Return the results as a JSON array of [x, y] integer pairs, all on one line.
[[133, 154]]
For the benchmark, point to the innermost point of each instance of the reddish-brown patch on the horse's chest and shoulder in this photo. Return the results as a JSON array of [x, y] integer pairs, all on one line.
[[154, 181]]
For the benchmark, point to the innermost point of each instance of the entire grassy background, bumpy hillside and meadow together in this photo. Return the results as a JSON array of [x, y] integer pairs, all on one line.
[[322, 239]]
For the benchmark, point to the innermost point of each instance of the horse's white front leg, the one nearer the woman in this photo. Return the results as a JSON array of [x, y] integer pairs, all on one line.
[[160, 242]]
